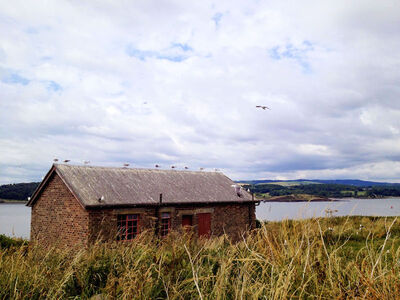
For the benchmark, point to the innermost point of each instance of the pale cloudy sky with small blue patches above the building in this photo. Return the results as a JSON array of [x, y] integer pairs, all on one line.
[[177, 82]]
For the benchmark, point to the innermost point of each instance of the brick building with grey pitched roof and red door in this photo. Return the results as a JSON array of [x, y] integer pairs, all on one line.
[[75, 205]]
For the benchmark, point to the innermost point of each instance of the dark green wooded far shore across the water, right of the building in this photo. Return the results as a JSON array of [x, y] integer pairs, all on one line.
[[326, 190]]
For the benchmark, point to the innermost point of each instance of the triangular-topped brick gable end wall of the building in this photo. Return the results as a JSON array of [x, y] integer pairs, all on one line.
[[57, 217]]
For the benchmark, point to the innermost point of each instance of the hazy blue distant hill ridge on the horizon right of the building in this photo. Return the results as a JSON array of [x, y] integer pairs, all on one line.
[[354, 182]]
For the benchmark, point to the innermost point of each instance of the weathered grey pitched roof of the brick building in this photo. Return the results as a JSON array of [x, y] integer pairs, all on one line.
[[130, 187]]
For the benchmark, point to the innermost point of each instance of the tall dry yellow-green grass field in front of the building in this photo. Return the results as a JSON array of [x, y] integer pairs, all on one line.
[[326, 258]]
